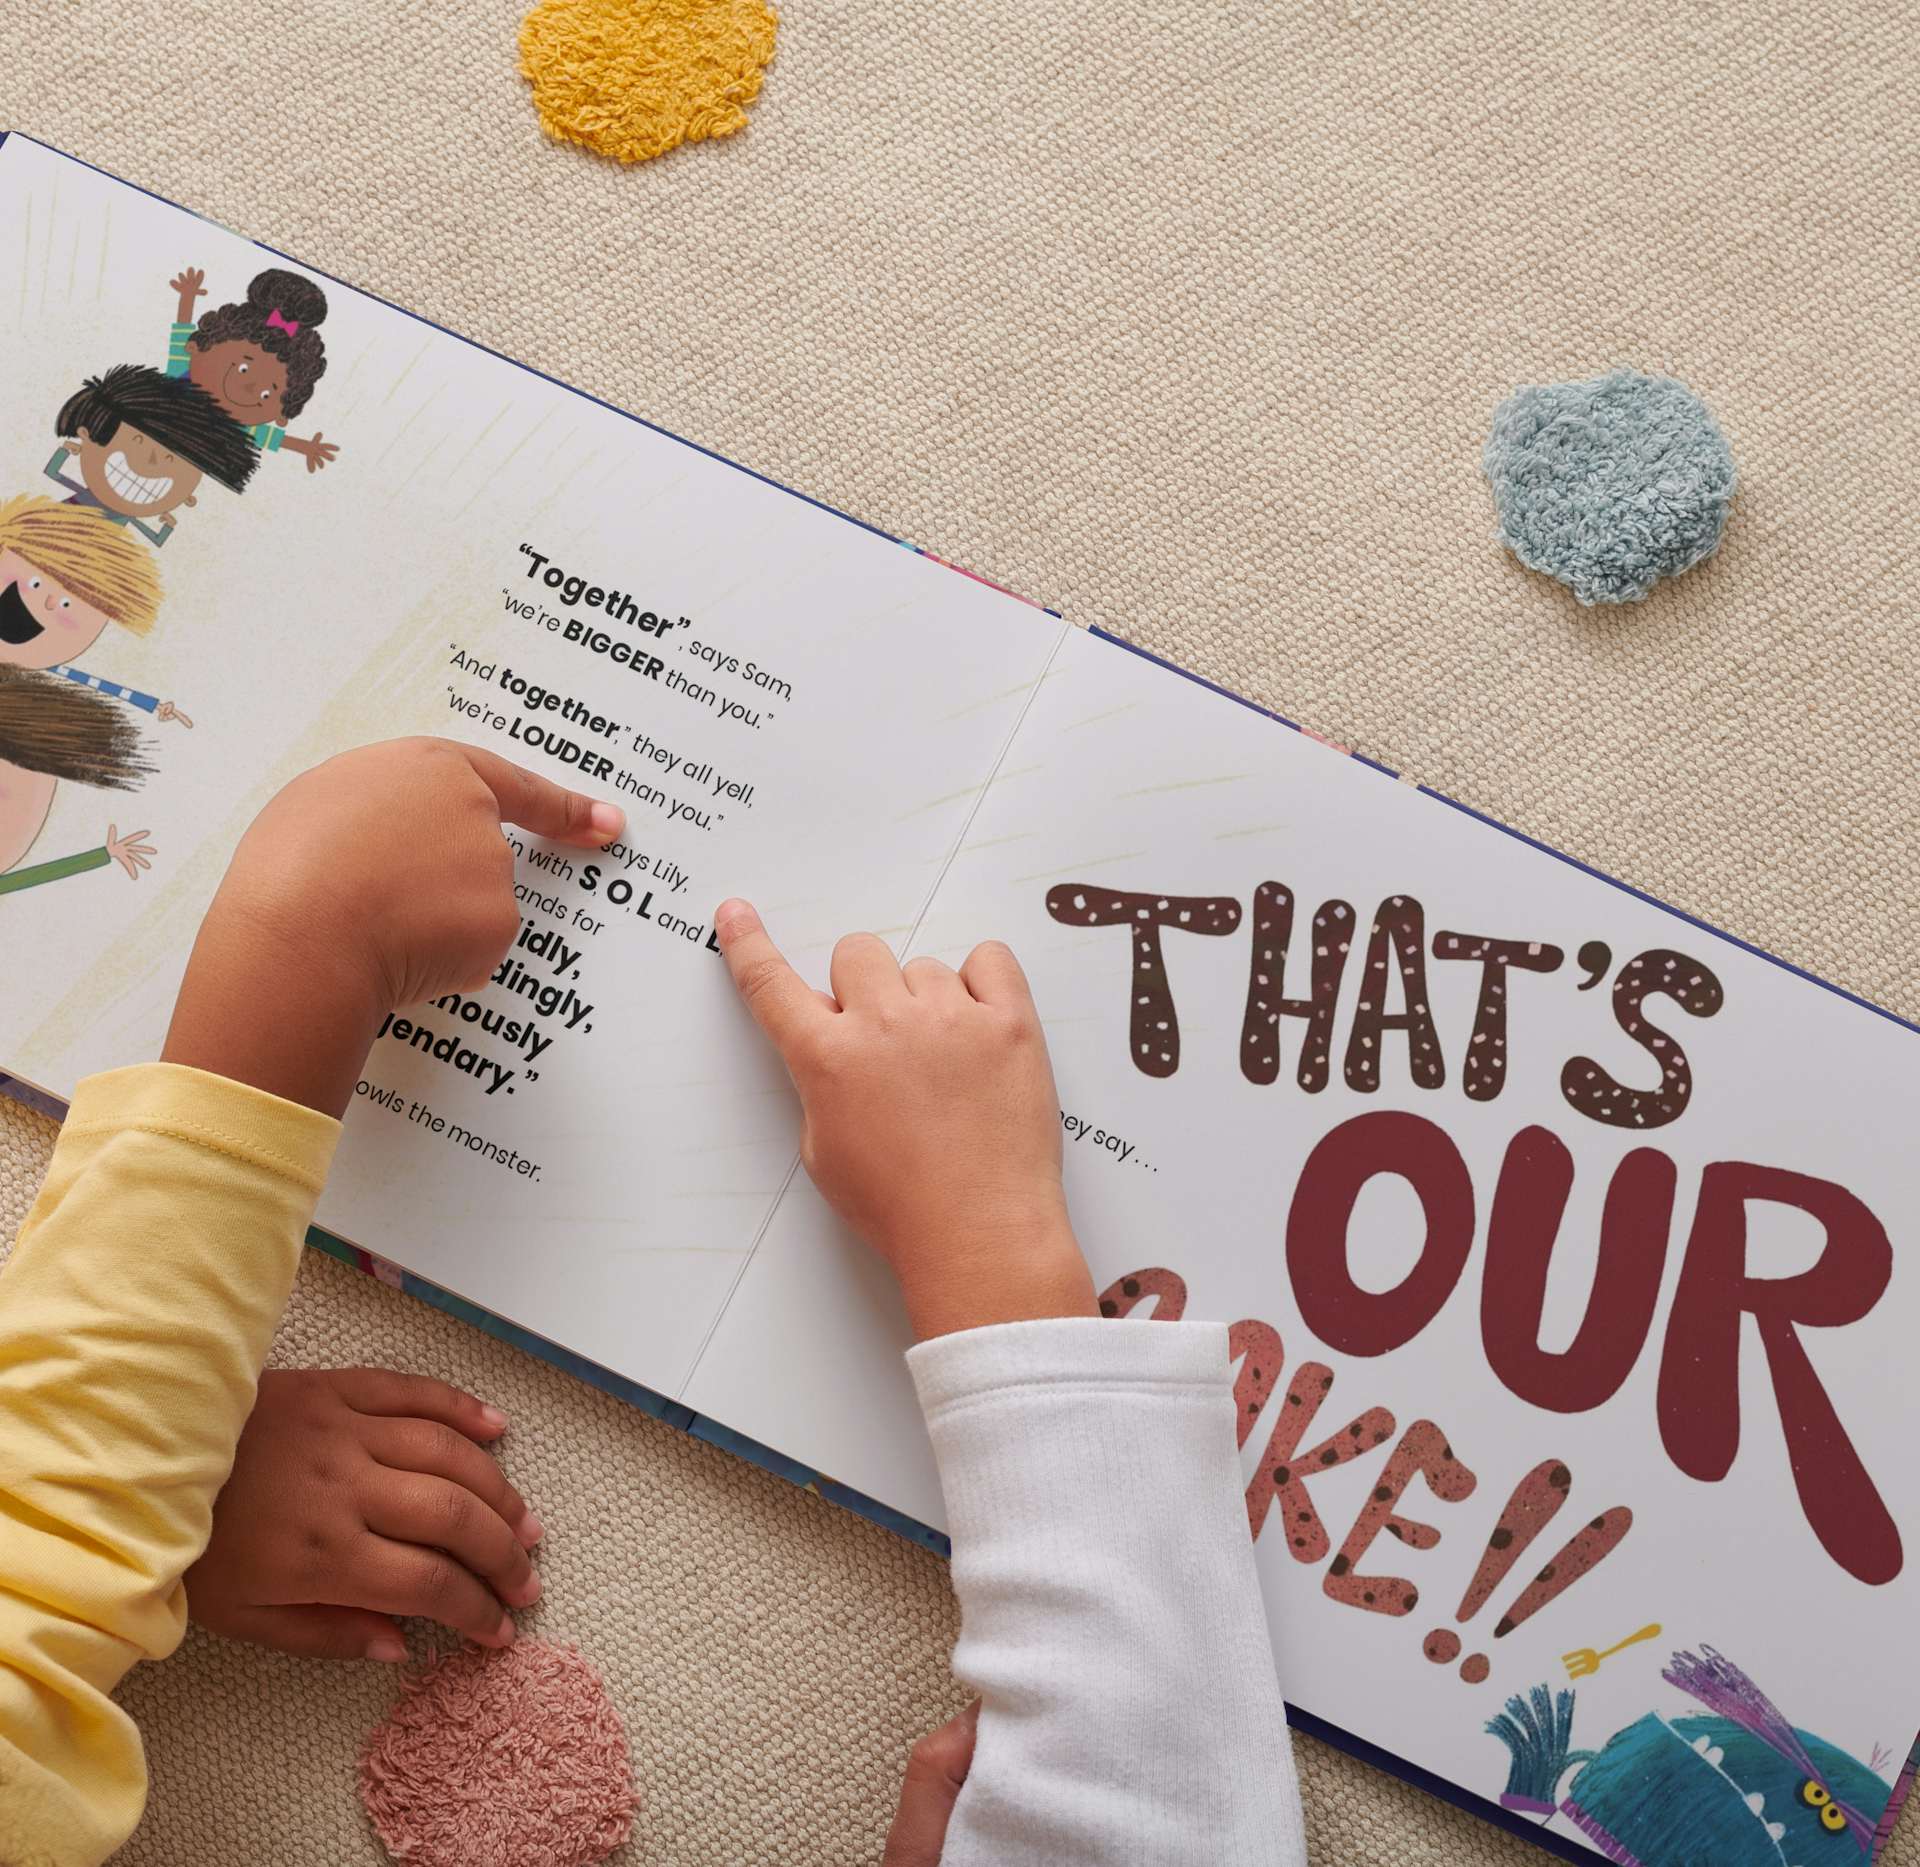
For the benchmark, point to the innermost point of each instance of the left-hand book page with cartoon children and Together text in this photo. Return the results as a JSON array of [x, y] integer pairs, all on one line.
[[251, 518]]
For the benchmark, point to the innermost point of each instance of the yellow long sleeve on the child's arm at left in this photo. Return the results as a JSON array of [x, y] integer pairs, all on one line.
[[135, 1317]]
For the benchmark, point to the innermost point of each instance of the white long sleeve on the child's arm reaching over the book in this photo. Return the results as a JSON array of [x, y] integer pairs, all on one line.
[[1111, 1609]]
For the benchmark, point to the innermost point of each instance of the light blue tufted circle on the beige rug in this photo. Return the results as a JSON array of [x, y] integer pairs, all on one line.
[[1610, 485]]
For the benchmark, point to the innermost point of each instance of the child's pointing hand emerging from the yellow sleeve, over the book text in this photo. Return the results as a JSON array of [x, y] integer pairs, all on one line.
[[375, 881]]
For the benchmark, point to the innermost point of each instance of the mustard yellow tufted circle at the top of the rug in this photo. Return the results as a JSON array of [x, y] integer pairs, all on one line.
[[638, 78]]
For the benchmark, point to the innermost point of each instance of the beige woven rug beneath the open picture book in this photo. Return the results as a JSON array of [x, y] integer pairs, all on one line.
[[1188, 318]]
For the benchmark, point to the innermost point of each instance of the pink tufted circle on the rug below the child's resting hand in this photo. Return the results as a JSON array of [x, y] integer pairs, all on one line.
[[506, 1758]]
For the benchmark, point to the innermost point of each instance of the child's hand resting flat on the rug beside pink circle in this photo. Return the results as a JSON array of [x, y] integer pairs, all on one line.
[[360, 1495]]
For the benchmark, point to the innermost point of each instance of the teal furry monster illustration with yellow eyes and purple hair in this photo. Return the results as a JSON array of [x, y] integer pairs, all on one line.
[[1735, 1785]]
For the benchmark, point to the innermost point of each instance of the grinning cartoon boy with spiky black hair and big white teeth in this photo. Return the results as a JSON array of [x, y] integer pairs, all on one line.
[[143, 443]]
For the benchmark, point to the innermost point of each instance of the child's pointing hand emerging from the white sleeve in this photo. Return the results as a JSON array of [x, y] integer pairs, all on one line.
[[932, 1121]]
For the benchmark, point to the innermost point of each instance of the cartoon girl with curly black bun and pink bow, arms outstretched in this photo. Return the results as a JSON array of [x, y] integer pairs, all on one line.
[[258, 358]]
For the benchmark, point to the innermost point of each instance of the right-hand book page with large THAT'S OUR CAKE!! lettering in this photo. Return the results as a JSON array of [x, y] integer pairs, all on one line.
[[1562, 1244]]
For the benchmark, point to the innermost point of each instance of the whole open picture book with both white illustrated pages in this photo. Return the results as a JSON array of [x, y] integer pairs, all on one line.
[[1560, 1236]]
